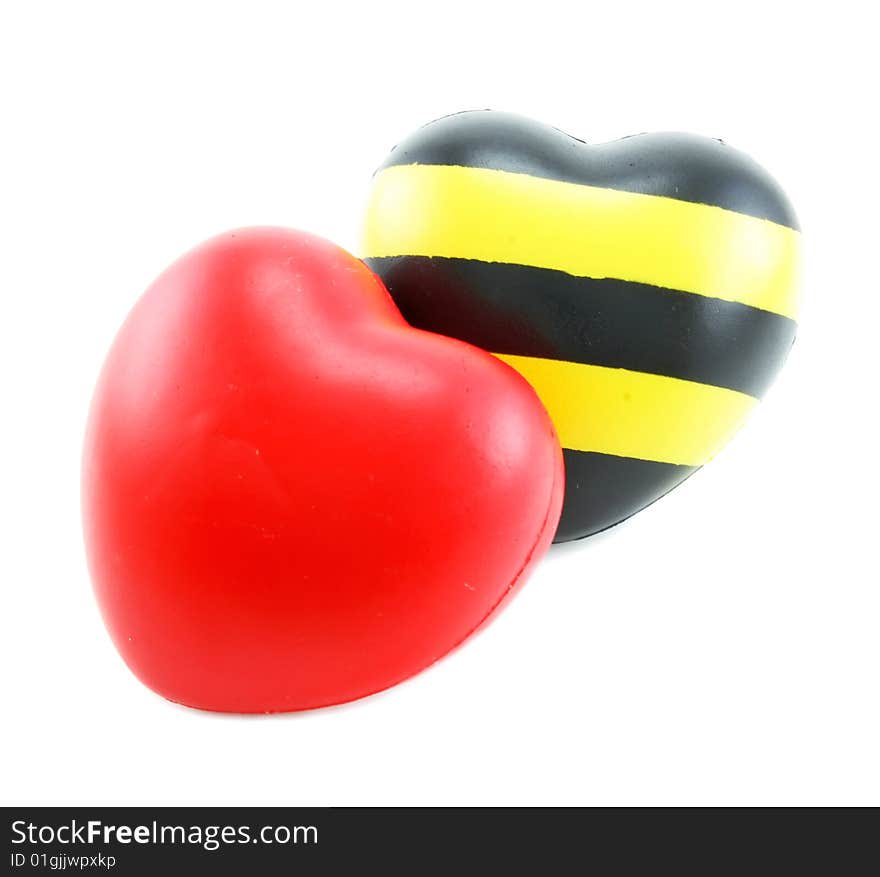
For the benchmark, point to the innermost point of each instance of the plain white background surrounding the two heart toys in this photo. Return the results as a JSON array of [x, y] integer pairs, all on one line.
[[721, 647]]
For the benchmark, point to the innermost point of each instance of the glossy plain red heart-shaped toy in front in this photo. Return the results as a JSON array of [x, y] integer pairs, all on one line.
[[291, 497]]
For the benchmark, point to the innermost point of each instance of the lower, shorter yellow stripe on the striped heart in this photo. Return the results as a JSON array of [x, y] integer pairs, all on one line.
[[634, 414]]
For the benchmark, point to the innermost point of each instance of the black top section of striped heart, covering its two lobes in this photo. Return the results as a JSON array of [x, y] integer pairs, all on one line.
[[675, 165]]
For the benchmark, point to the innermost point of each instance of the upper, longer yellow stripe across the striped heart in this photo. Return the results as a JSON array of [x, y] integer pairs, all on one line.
[[587, 231]]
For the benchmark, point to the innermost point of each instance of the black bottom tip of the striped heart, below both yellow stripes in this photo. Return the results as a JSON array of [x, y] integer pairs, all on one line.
[[602, 490]]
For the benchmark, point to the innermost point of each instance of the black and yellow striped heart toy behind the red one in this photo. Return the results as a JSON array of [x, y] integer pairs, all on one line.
[[646, 288]]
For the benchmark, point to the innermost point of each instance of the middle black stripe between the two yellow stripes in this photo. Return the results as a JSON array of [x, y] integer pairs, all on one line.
[[539, 312]]
